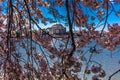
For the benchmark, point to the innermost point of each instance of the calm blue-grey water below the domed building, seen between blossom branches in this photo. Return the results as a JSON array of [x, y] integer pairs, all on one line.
[[110, 60]]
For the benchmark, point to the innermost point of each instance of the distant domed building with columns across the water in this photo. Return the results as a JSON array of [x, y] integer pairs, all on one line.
[[57, 29]]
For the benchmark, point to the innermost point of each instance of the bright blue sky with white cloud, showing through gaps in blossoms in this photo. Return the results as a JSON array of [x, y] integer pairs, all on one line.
[[62, 10]]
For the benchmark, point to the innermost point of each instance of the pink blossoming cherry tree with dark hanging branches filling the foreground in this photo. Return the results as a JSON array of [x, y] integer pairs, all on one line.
[[27, 54]]
